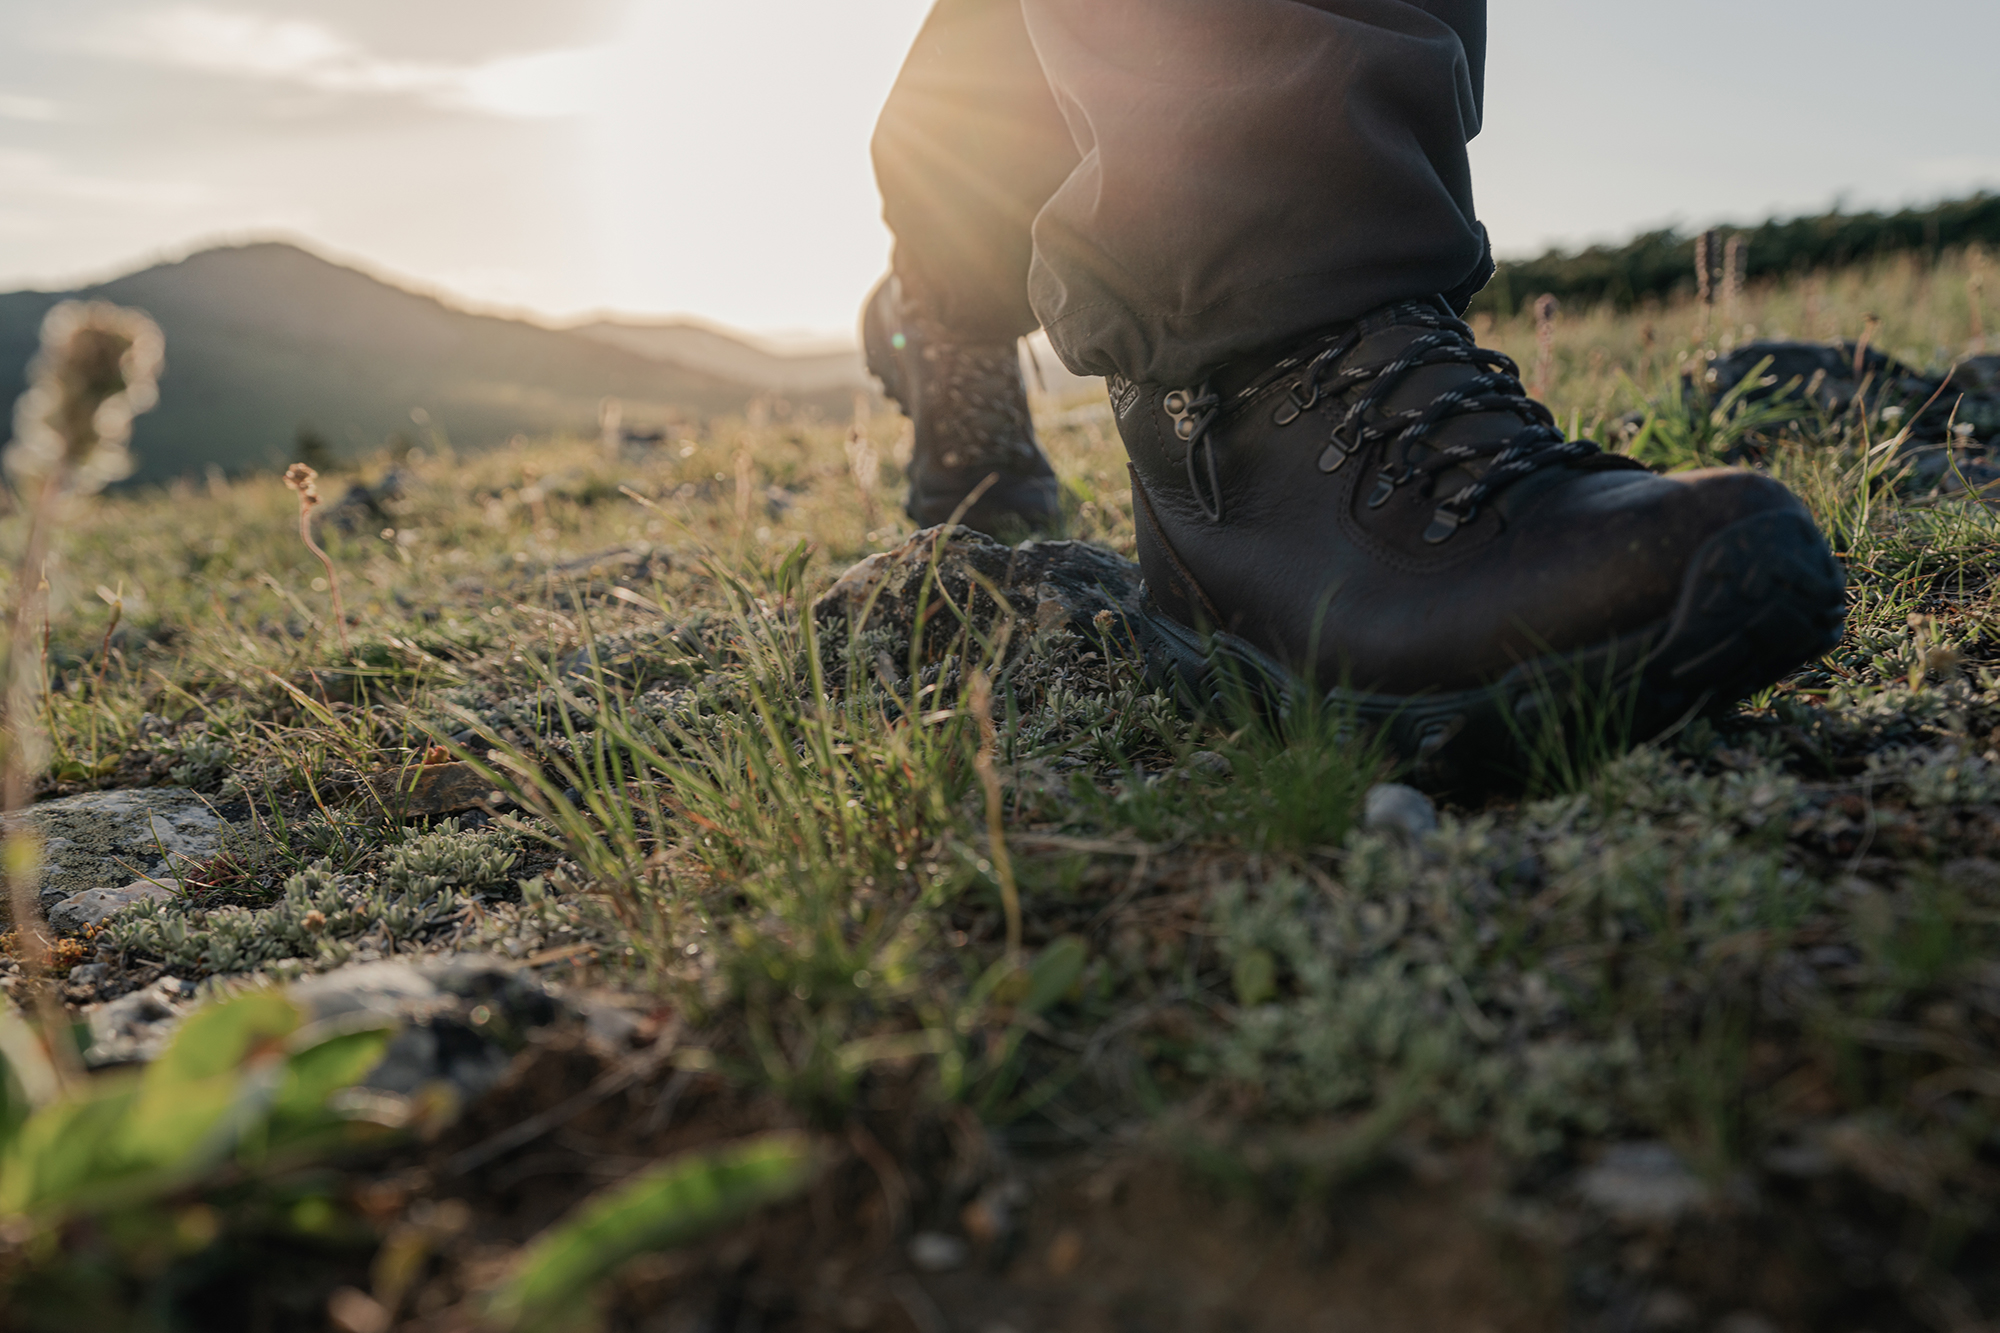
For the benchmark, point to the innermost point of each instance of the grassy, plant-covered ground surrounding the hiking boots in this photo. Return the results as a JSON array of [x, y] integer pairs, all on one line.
[[913, 862]]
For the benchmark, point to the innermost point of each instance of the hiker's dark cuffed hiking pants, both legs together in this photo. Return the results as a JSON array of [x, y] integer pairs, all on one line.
[[1167, 185]]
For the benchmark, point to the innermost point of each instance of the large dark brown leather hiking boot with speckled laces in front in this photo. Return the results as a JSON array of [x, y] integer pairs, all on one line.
[[1385, 511]]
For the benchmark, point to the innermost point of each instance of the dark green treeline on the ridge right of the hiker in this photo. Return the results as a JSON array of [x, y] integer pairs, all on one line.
[[1663, 263]]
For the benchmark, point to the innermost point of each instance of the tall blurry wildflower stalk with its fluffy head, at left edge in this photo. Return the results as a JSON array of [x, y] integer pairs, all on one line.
[[97, 371]]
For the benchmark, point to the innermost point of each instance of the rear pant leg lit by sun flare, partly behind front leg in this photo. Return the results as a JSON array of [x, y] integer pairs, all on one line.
[[969, 149]]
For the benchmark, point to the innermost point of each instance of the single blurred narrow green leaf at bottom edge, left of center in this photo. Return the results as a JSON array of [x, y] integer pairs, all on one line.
[[675, 1204]]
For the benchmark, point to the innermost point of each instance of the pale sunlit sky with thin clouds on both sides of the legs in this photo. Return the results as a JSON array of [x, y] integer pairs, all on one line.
[[711, 159]]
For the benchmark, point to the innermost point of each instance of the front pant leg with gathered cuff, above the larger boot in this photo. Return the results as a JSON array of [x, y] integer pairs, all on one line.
[[1253, 171]]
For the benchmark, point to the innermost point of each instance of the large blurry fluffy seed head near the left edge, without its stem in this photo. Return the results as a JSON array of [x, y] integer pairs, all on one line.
[[99, 369]]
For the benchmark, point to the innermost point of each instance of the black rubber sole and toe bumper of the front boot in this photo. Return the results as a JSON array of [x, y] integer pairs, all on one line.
[[1761, 599]]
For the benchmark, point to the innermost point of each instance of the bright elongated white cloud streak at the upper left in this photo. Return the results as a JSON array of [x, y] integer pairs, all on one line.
[[307, 55]]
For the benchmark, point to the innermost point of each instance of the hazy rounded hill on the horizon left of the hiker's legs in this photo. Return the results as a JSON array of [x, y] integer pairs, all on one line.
[[269, 339]]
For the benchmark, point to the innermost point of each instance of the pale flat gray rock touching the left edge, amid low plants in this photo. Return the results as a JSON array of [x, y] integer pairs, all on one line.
[[107, 840]]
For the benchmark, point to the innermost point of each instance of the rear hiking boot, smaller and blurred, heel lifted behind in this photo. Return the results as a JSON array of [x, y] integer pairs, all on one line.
[[969, 409]]
